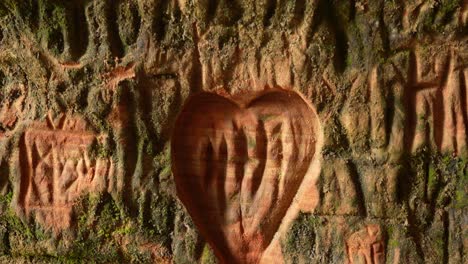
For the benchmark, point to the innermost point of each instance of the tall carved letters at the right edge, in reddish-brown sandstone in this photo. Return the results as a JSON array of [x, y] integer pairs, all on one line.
[[437, 107]]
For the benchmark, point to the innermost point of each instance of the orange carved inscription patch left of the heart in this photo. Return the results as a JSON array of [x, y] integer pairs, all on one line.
[[56, 169]]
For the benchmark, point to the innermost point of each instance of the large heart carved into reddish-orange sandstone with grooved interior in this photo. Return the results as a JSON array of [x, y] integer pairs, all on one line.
[[238, 164]]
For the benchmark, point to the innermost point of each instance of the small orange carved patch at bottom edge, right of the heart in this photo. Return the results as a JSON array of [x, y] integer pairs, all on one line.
[[366, 246]]
